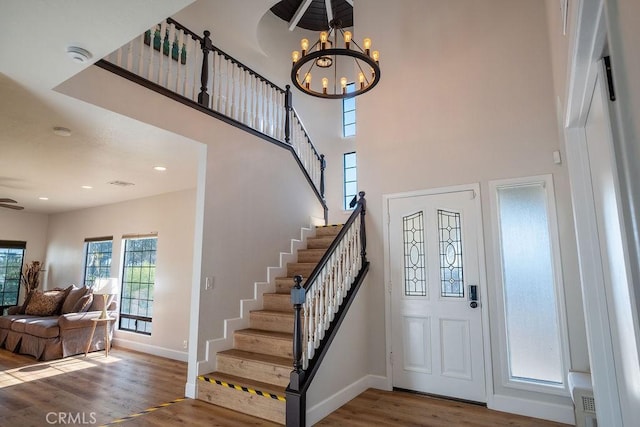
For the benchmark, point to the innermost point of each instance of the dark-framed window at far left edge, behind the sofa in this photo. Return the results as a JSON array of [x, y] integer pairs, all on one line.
[[11, 258]]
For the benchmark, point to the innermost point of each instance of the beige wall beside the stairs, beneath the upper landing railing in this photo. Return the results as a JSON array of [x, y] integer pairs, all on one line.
[[256, 199]]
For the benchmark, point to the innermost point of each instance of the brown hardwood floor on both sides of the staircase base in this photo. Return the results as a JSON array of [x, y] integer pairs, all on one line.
[[103, 391]]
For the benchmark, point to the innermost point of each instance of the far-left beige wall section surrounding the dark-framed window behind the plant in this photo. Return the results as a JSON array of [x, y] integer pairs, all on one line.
[[27, 227]]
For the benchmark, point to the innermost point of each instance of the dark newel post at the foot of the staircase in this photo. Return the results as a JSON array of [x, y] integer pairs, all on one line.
[[296, 406]]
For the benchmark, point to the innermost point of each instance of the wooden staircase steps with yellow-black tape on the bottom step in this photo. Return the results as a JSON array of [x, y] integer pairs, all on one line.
[[253, 375]]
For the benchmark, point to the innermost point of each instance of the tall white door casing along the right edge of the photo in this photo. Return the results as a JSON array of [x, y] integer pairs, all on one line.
[[587, 47]]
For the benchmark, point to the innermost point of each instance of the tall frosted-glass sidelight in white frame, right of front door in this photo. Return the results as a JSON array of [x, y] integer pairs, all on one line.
[[534, 341]]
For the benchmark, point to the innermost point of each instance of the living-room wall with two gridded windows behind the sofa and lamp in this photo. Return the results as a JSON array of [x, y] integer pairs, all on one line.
[[172, 216]]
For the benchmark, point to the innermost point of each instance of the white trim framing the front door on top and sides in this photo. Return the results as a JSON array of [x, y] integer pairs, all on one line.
[[386, 199]]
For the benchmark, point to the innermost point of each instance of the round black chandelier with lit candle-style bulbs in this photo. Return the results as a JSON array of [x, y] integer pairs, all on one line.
[[326, 70]]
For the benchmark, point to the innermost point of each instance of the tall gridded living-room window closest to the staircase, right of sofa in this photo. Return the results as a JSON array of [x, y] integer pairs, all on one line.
[[138, 281]]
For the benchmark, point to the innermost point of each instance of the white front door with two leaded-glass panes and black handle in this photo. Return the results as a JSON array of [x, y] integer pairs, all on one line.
[[436, 322]]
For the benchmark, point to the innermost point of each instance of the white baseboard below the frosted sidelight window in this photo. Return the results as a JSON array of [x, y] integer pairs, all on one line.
[[532, 408]]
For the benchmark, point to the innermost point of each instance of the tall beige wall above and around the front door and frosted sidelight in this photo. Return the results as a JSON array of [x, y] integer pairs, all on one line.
[[466, 96]]
